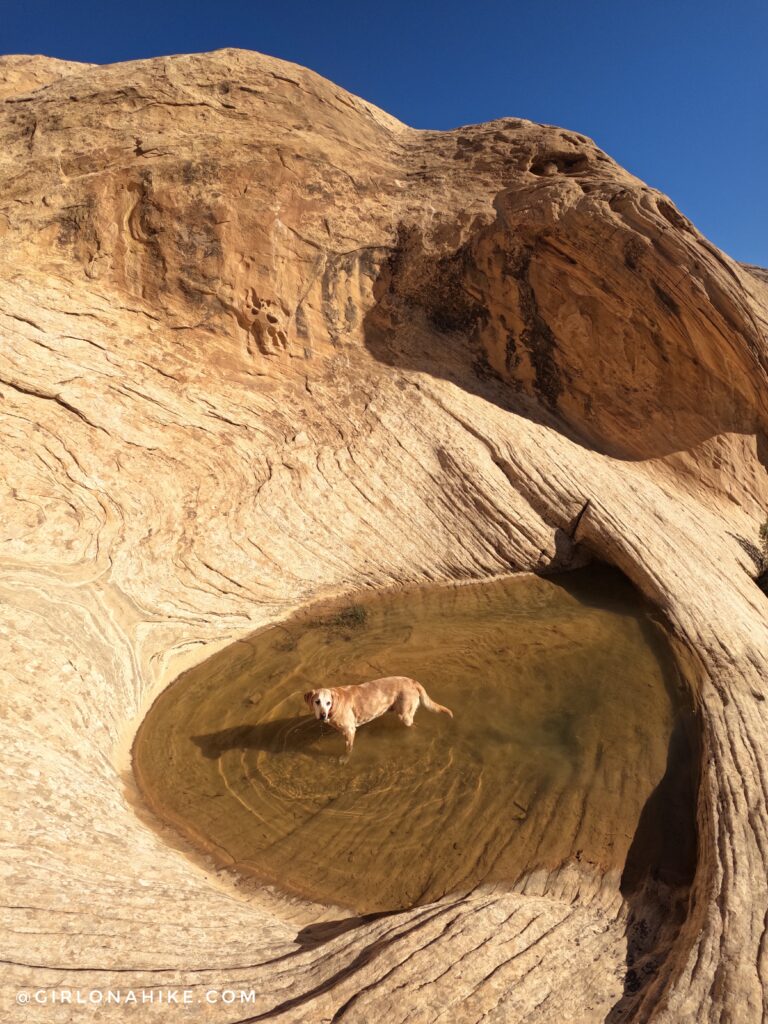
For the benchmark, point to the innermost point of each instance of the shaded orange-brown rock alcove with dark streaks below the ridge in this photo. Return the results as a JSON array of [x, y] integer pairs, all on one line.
[[484, 317]]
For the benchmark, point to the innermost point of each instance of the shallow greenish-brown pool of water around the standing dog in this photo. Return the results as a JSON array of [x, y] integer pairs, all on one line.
[[565, 696]]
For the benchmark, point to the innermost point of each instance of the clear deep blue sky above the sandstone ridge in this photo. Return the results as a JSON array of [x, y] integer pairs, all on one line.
[[677, 92]]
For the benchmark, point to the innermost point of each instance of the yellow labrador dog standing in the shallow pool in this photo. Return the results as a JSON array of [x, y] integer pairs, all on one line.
[[347, 708]]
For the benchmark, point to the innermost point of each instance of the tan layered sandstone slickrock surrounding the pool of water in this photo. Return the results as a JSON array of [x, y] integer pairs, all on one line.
[[262, 344]]
